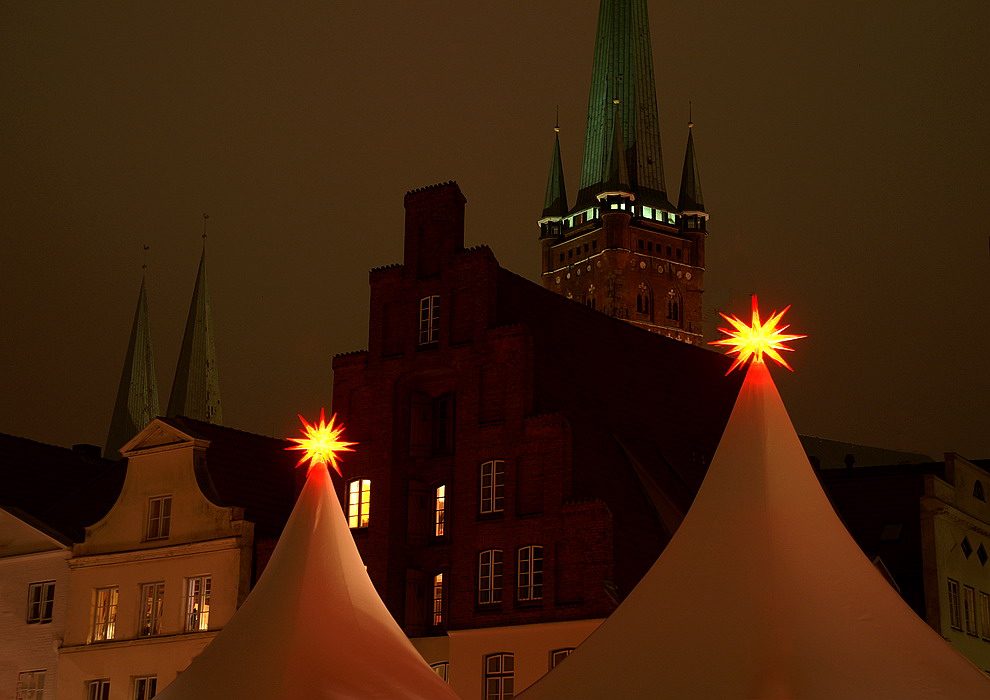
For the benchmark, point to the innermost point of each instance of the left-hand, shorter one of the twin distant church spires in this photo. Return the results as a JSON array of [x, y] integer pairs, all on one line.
[[137, 394]]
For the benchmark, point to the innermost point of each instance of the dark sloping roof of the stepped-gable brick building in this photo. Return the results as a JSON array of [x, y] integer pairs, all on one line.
[[623, 389]]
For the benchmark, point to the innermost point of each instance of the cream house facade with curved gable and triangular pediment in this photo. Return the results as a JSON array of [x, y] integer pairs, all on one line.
[[156, 577]]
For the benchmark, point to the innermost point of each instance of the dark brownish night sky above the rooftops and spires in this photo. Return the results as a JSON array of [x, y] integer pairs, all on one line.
[[843, 152]]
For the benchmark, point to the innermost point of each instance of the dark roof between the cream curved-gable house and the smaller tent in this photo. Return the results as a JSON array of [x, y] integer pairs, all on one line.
[[245, 470]]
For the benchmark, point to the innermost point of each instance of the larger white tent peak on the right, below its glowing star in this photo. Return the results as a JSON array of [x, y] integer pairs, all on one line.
[[762, 594]]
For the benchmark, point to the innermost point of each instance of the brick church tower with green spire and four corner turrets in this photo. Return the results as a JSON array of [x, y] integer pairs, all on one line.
[[623, 248]]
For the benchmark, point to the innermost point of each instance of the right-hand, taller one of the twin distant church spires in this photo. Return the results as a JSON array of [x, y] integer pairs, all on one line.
[[196, 387]]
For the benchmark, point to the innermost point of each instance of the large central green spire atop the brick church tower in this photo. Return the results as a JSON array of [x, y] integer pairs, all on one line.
[[623, 70]]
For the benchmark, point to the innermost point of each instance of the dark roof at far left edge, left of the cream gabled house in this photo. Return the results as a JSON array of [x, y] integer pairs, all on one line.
[[62, 488]]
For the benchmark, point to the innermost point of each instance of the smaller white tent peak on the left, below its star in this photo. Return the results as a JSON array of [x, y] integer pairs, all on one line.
[[314, 627]]
